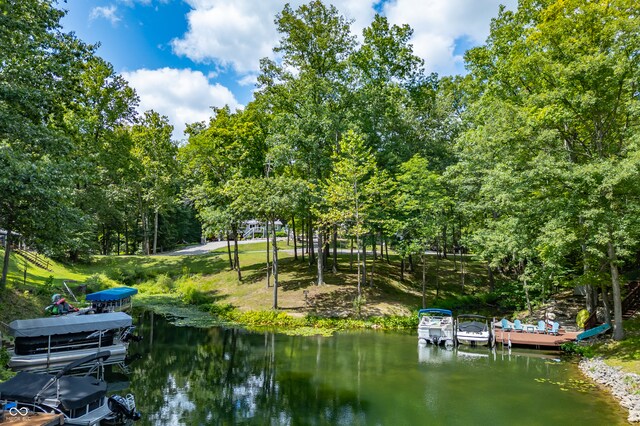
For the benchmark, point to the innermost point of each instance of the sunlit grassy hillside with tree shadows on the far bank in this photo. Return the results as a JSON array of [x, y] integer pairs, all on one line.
[[212, 276]]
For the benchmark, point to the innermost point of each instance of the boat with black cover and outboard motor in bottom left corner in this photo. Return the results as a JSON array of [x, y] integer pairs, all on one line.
[[81, 400]]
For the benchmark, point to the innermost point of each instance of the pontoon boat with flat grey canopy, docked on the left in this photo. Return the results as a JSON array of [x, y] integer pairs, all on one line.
[[48, 344]]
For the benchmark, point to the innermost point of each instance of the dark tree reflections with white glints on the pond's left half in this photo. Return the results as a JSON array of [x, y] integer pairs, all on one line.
[[197, 376]]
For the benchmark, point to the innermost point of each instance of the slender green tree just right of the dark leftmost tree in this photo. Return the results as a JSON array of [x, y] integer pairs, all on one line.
[[102, 151]]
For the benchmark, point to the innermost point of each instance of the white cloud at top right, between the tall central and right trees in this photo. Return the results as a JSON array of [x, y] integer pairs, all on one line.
[[437, 24]]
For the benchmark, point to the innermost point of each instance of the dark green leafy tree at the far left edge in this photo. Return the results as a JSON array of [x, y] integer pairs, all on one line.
[[39, 73]]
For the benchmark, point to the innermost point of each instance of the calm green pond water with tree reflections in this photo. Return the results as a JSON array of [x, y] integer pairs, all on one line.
[[193, 376]]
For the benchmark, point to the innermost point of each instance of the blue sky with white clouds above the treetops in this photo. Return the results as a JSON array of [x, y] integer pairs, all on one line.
[[185, 56]]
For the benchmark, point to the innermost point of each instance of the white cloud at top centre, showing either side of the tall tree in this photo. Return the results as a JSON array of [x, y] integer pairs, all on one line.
[[237, 33]]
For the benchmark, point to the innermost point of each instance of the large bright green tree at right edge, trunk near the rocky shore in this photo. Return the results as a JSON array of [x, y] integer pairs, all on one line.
[[555, 130]]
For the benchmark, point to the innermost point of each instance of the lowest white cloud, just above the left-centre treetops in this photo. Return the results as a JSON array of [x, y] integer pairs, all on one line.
[[183, 95]]
